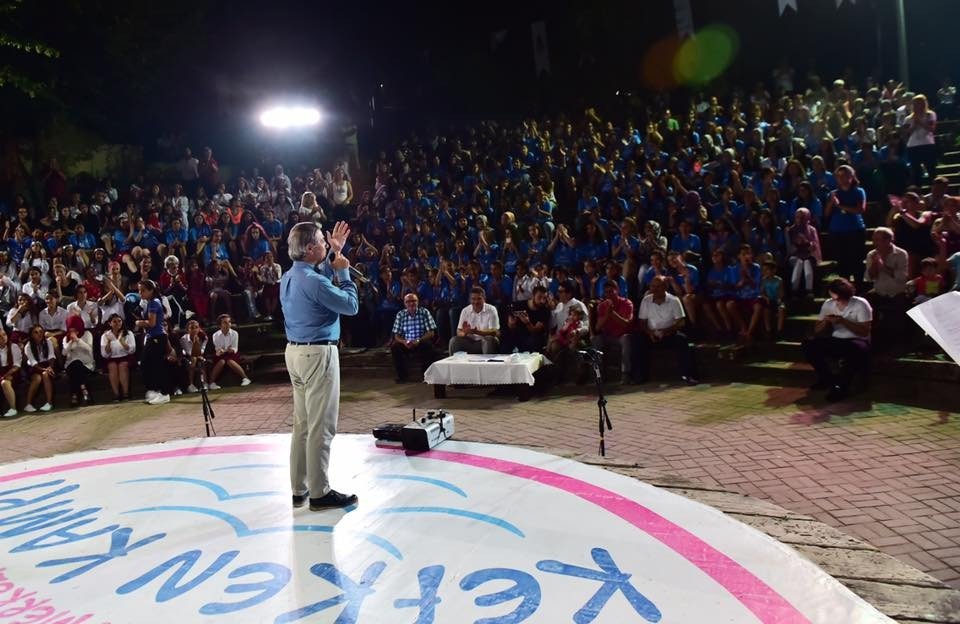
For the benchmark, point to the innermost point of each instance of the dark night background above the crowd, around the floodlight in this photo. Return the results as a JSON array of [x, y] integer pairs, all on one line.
[[197, 71]]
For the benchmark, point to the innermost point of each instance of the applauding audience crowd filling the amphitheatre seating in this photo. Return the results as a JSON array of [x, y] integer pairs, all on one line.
[[548, 235]]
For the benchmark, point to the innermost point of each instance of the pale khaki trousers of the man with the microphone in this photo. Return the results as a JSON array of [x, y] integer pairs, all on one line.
[[315, 375]]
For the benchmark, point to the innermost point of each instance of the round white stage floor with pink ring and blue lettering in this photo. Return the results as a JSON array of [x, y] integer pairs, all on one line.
[[203, 531]]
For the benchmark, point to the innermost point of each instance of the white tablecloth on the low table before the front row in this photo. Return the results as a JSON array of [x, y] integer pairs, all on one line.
[[485, 370]]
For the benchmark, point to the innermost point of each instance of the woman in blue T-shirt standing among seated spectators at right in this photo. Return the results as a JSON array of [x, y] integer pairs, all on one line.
[[848, 232]]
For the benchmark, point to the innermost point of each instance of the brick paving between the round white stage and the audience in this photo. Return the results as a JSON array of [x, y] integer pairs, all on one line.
[[882, 471]]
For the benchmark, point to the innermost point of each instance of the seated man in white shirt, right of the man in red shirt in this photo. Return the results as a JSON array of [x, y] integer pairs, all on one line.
[[661, 320]]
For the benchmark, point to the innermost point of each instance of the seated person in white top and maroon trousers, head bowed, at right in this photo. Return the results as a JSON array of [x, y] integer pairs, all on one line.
[[842, 333]]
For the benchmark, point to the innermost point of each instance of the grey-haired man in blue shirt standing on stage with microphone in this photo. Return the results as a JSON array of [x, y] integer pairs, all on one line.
[[312, 303]]
